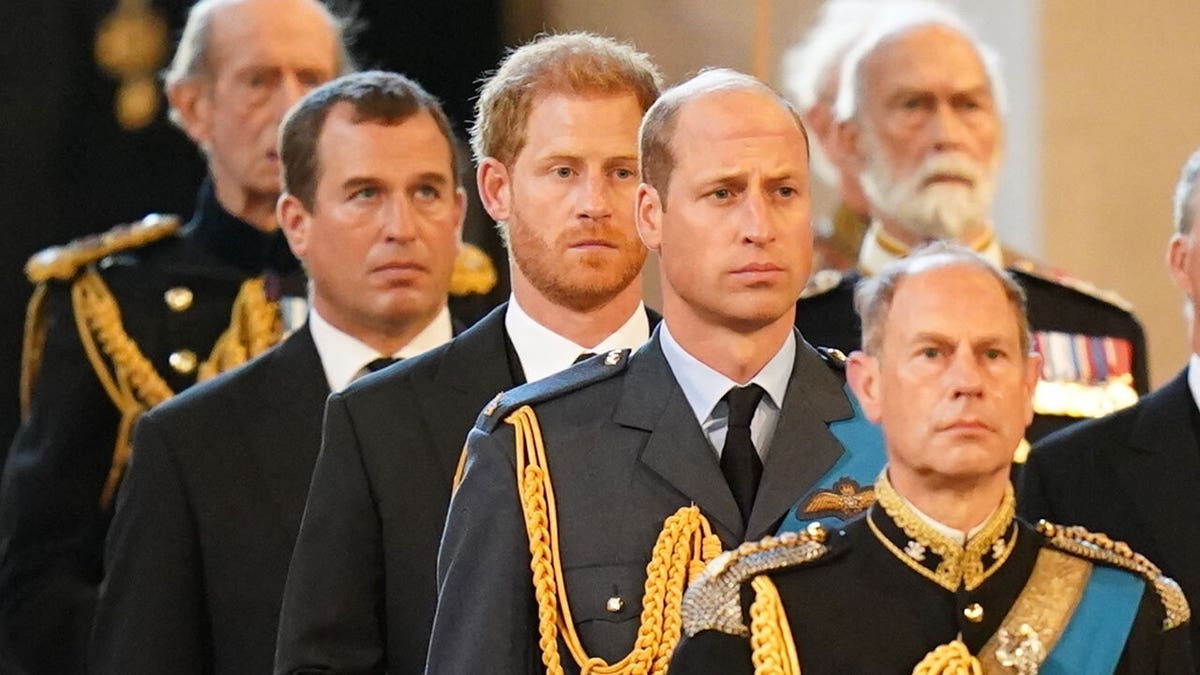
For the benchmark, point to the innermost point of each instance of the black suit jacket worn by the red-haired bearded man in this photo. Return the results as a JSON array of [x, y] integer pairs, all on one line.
[[361, 594]]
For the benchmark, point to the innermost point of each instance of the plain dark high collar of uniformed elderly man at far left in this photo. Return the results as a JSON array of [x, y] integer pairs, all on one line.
[[236, 242]]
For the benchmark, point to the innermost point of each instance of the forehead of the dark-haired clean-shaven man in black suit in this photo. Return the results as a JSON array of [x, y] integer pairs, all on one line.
[[415, 146]]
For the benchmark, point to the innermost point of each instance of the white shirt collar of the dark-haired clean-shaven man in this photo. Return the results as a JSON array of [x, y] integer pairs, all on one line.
[[344, 357]]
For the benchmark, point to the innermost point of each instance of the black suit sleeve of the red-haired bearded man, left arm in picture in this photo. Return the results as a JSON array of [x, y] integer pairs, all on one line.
[[334, 599]]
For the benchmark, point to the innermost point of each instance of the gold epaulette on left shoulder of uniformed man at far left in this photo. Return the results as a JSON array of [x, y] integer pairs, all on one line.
[[64, 262]]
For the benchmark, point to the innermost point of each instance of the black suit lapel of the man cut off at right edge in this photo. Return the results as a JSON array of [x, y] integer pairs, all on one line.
[[1162, 471]]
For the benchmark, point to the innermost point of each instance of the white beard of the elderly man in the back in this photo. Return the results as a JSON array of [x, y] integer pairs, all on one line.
[[939, 211]]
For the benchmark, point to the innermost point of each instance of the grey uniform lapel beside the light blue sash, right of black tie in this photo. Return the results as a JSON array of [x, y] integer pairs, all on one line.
[[803, 449]]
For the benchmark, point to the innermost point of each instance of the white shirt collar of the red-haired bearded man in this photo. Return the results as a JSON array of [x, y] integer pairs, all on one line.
[[544, 353]]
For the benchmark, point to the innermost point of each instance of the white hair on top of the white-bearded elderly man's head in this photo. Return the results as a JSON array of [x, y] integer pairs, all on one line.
[[895, 22]]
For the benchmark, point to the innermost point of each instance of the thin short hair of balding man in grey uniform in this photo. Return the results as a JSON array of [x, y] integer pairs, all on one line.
[[655, 138]]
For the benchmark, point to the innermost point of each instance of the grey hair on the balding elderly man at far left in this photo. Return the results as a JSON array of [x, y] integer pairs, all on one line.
[[191, 59]]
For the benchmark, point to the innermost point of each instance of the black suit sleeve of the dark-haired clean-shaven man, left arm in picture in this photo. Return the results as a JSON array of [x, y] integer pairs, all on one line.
[[151, 617]]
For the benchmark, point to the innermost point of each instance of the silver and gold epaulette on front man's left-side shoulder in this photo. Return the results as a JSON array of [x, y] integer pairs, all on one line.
[[713, 601]]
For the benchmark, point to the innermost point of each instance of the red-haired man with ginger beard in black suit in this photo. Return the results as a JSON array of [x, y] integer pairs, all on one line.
[[556, 140]]
